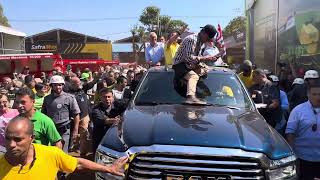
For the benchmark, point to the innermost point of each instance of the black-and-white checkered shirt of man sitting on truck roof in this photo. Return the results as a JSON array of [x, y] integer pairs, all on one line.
[[188, 52]]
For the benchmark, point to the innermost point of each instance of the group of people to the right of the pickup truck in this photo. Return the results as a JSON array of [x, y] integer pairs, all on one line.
[[293, 110]]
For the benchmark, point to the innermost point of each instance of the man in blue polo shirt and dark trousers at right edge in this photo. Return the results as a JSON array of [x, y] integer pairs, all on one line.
[[303, 132]]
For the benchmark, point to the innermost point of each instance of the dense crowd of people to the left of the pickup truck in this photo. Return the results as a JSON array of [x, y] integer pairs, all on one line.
[[61, 110]]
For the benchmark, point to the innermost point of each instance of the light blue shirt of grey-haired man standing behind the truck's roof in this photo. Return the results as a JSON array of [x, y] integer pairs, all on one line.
[[154, 54]]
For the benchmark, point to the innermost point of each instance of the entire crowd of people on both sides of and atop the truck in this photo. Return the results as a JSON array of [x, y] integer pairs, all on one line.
[[64, 108]]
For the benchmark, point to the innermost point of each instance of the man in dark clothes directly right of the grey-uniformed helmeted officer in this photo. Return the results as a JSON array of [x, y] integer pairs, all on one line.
[[84, 105]]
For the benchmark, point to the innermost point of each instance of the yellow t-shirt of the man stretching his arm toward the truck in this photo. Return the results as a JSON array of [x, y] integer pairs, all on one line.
[[49, 160]]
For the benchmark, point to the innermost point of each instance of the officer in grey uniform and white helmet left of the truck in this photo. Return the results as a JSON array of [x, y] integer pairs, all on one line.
[[61, 107]]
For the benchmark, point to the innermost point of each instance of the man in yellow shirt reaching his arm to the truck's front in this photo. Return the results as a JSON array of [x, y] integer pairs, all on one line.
[[28, 161]]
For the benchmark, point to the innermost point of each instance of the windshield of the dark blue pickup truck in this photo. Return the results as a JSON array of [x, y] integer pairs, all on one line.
[[216, 89]]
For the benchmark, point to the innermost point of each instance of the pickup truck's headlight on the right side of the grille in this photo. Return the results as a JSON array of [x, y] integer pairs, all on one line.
[[282, 169]]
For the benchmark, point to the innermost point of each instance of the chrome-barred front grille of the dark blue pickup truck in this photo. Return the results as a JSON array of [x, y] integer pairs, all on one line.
[[185, 167]]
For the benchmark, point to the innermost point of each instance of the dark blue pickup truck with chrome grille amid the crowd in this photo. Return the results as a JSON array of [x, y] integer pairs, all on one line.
[[167, 139]]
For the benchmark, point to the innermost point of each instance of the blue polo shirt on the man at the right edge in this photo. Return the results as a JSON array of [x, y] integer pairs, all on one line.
[[306, 142]]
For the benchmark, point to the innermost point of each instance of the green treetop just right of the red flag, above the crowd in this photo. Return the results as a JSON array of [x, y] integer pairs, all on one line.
[[237, 24]]
